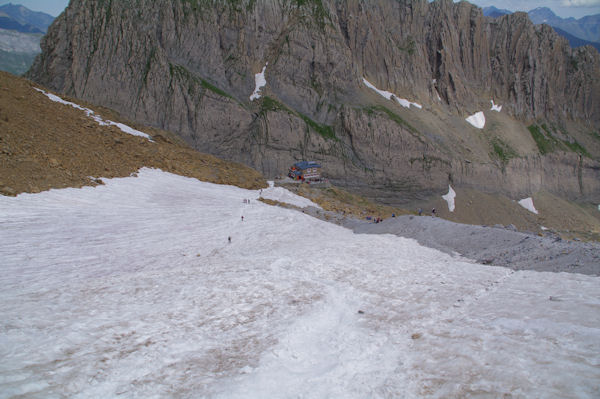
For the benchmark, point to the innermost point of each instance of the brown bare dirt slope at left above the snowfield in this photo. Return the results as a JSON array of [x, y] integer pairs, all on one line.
[[44, 145]]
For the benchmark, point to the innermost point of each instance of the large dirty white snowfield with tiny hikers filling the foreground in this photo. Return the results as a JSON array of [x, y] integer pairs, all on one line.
[[131, 289]]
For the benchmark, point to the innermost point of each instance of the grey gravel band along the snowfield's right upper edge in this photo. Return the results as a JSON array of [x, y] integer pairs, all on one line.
[[498, 246]]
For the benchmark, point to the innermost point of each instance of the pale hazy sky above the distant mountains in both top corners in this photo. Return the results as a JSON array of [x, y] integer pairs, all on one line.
[[563, 8]]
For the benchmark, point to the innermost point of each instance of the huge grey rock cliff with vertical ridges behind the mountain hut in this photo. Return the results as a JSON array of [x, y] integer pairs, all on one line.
[[189, 66]]
